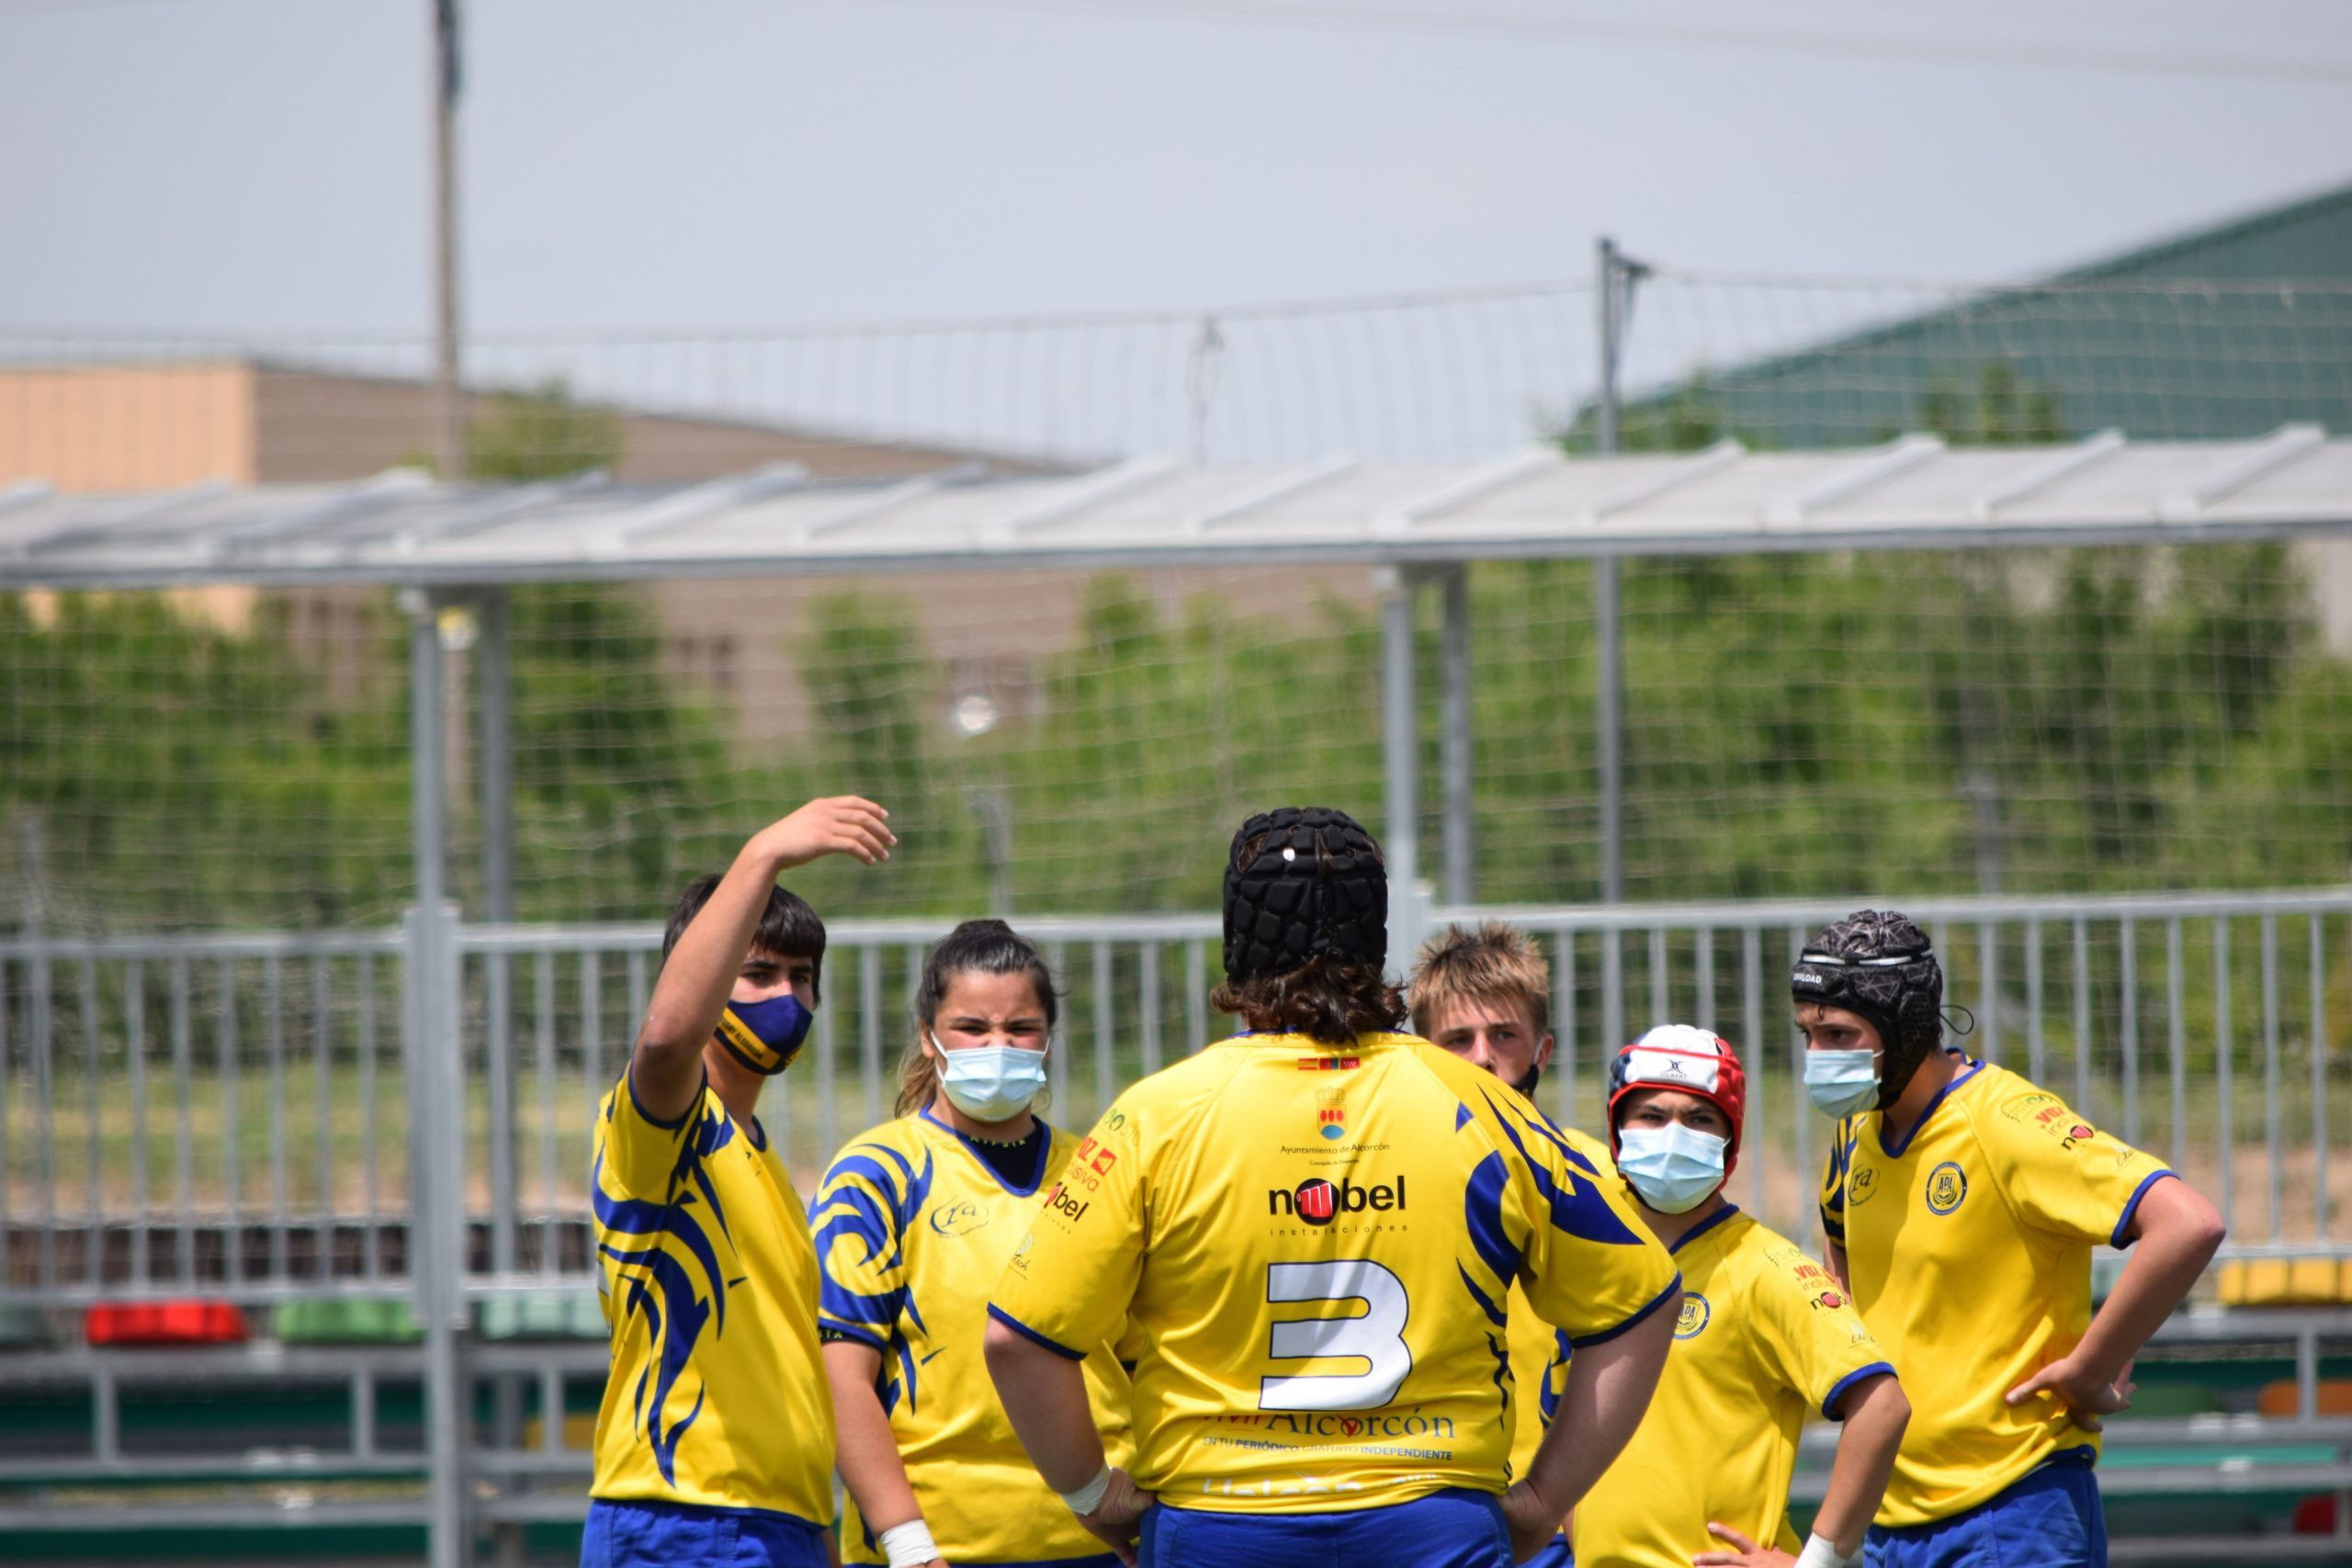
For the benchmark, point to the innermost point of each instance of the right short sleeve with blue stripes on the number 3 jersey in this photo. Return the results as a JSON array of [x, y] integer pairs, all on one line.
[[1546, 1209]]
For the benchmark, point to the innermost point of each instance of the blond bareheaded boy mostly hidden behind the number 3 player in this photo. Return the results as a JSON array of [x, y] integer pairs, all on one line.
[[1488, 998]]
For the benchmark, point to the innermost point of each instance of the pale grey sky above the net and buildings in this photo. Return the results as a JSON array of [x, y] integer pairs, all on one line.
[[714, 166]]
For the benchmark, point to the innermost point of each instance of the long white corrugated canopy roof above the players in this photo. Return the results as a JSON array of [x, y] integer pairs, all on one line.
[[1916, 492]]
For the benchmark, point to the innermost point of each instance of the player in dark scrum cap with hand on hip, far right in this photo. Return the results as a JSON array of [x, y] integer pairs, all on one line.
[[1963, 1205]]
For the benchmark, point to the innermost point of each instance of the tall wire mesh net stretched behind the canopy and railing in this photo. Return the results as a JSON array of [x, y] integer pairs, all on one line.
[[2024, 721]]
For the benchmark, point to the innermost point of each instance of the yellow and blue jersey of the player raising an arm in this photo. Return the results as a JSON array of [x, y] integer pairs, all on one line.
[[716, 1391]]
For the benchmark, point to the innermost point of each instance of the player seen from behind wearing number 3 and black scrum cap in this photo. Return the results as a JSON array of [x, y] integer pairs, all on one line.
[[1314, 1231]]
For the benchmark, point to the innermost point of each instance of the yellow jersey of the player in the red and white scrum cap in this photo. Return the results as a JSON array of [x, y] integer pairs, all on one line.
[[1765, 1341]]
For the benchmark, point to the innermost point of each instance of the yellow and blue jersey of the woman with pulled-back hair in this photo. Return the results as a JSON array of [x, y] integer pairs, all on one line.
[[911, 1235]]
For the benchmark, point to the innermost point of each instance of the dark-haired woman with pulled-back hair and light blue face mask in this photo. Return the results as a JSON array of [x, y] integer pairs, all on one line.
[[914, 1226]]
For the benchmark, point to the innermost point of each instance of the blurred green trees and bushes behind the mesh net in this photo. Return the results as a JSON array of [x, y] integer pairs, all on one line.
[[2059, 721]]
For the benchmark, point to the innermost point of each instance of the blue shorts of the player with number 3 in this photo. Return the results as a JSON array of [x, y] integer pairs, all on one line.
[[1455, 1529]]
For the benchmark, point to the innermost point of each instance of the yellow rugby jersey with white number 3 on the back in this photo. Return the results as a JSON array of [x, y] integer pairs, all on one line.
[[1318, 1249]]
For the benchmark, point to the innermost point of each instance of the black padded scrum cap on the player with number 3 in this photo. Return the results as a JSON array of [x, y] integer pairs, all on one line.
[[1316, 883]]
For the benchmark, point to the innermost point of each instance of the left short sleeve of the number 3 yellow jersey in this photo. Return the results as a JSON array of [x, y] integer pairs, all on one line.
[[1071, 1280]]
